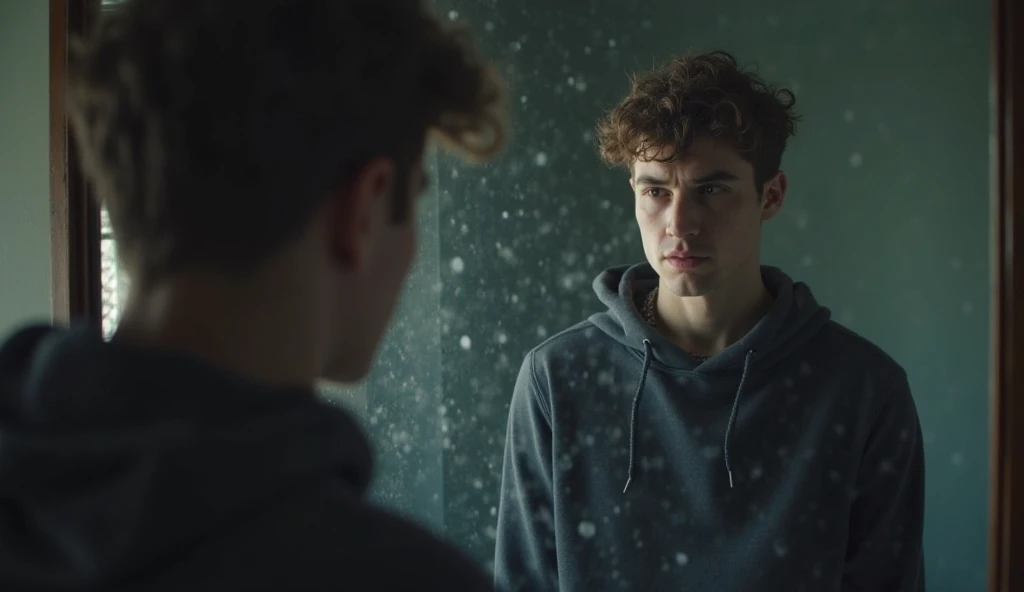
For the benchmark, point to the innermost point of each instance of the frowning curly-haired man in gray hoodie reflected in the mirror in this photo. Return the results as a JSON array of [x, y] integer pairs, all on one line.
[[713, 430]]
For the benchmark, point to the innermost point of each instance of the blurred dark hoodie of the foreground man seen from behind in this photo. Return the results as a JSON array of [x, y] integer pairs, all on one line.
[[132, 470]]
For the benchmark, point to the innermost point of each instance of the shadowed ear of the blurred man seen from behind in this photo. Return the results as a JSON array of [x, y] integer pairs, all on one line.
[[361, 209]]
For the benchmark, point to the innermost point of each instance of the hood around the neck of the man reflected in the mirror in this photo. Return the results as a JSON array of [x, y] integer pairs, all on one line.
[[794, 318]]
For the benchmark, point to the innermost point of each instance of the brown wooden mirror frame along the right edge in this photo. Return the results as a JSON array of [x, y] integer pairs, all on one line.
[[1007, 379]]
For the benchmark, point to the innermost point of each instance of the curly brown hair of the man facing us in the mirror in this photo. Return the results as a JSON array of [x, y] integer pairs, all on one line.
[[701, 95]]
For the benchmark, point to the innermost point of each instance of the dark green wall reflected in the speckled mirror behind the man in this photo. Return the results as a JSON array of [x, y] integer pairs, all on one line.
[[887, 220]]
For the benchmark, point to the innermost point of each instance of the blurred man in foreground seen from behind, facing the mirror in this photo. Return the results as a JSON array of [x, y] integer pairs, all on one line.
[[261, 162]]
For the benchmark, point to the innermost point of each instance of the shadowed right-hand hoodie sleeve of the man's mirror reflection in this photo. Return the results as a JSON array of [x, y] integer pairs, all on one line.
[[884, 552]]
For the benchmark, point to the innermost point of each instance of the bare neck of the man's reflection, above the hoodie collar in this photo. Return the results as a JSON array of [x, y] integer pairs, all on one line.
[[707, 325]]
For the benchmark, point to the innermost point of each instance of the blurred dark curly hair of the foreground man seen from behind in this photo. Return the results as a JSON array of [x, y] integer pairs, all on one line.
[[214, 130]]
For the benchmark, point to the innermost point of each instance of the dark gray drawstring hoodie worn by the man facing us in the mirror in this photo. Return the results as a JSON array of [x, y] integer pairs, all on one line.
[[792, 461]]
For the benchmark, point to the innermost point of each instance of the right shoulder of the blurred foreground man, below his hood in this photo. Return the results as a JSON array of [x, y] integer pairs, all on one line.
[[326, 538]]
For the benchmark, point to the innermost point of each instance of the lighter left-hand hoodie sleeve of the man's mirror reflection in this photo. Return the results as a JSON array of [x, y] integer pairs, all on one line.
[[525, 557]]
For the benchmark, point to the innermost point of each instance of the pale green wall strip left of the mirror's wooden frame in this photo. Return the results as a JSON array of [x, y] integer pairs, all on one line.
[[25, 202]]
